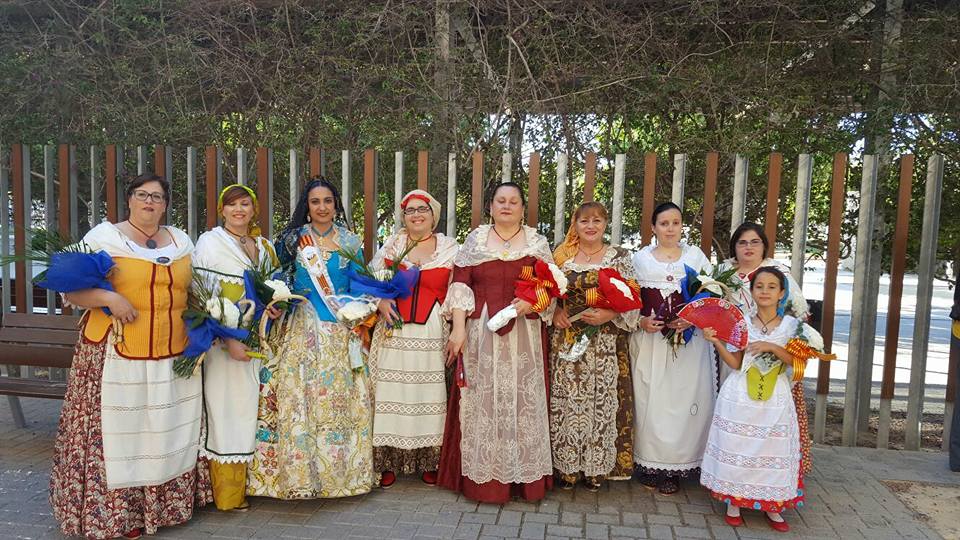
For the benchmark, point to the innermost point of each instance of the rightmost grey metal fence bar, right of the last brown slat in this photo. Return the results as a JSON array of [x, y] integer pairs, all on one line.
[[926, 271]]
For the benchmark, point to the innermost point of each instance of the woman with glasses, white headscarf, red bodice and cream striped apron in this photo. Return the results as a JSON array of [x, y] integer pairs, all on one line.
[[407, 363]]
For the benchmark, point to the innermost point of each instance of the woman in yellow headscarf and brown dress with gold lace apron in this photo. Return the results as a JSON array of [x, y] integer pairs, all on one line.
[[591, 397]]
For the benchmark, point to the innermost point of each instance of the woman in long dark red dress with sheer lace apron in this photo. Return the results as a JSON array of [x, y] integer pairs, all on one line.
[[497, 439]]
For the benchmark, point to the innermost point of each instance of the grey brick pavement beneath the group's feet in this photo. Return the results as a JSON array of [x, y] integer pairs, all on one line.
[[846, 499]]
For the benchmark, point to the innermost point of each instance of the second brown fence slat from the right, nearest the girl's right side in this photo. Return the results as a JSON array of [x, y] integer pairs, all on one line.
[[837, 200]]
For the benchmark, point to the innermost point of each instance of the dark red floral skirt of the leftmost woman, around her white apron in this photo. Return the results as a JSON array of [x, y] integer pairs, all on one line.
[[78, 484]]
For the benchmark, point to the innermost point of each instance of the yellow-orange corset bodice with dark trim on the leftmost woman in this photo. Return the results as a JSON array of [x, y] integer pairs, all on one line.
[[159, 294]]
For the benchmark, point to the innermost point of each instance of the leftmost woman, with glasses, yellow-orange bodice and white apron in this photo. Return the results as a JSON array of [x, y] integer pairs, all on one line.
[[126, 452]]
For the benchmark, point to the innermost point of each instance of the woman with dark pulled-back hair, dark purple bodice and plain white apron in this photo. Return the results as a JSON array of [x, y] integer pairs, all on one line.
[[674, 383]]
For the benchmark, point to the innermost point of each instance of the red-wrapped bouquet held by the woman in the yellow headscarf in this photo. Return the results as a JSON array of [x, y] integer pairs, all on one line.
[[614, 292]]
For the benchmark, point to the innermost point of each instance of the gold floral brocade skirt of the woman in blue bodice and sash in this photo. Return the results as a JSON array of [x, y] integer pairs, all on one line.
[[314, 436]]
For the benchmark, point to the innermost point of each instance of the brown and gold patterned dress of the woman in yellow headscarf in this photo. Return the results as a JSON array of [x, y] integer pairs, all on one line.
[[591, 398]]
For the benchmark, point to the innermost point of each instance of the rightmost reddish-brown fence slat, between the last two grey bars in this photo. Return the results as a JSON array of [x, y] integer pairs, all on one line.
[[894, 295]]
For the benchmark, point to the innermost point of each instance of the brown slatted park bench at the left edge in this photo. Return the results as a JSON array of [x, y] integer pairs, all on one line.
[[35, 341]]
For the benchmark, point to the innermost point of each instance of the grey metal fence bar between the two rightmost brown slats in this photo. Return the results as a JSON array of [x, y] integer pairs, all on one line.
[[857, 356]]
